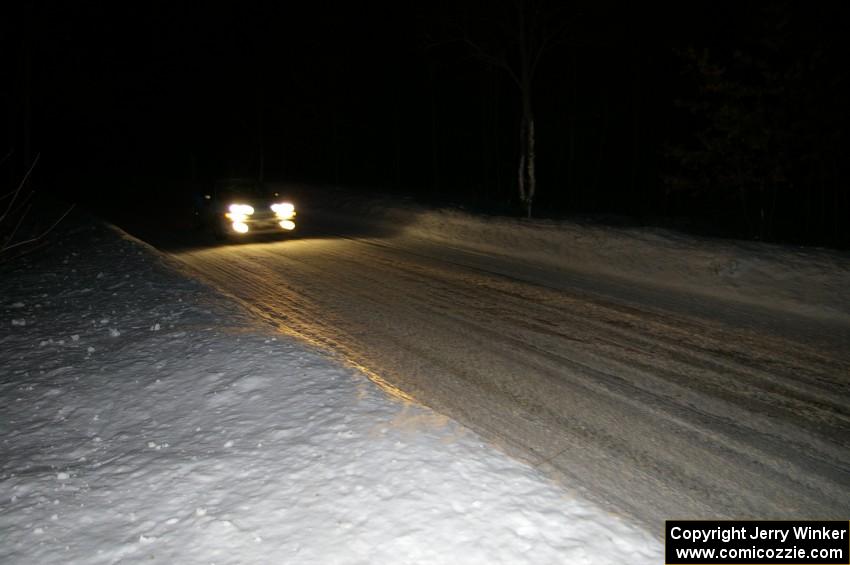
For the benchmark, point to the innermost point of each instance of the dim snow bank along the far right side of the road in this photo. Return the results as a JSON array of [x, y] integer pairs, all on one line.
[[804, 280]]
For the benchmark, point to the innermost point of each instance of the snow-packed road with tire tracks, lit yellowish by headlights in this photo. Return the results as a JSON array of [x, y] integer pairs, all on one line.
[[650, 410]]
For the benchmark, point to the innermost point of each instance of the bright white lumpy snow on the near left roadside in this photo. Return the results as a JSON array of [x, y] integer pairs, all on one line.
[[147, 419]]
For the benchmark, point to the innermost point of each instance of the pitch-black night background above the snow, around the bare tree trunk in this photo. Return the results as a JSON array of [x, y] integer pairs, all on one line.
[[129, 101]]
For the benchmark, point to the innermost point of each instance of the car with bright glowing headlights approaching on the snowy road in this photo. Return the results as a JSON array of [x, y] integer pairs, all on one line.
[[238, 208]]
